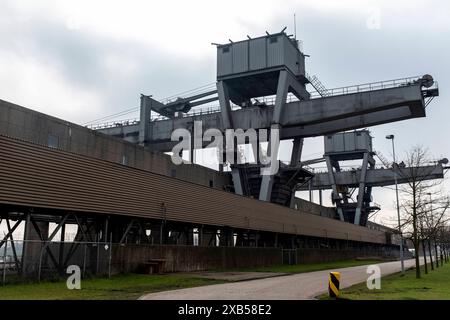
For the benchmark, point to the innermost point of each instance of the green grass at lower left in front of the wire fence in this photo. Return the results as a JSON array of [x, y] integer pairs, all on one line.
[[129, 286]]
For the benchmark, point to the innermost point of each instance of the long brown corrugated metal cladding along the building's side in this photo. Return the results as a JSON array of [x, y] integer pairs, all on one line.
[[37, 176]]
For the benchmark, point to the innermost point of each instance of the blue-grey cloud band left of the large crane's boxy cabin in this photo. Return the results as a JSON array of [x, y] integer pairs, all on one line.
[[79, 56]]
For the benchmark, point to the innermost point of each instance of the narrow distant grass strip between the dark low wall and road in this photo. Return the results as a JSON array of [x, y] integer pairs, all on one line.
[[301, 268]]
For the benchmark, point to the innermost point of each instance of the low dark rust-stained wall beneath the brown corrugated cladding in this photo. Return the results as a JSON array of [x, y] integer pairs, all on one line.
[[190, 258]]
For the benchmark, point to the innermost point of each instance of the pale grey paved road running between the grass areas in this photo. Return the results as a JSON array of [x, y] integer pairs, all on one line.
[[292, 287]]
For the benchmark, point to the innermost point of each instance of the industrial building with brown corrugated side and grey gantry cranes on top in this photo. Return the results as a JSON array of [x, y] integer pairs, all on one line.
[[115, 183]]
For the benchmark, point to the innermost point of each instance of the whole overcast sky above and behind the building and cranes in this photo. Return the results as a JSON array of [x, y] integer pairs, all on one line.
[[81, 60]]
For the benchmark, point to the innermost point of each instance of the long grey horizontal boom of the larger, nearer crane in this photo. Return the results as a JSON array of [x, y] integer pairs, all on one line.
[[309, 118]]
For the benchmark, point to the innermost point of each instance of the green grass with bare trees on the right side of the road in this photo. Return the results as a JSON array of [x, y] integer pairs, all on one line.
[[432, 286]]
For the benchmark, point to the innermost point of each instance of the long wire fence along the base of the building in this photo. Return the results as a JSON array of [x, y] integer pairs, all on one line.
[[49, 260]]
